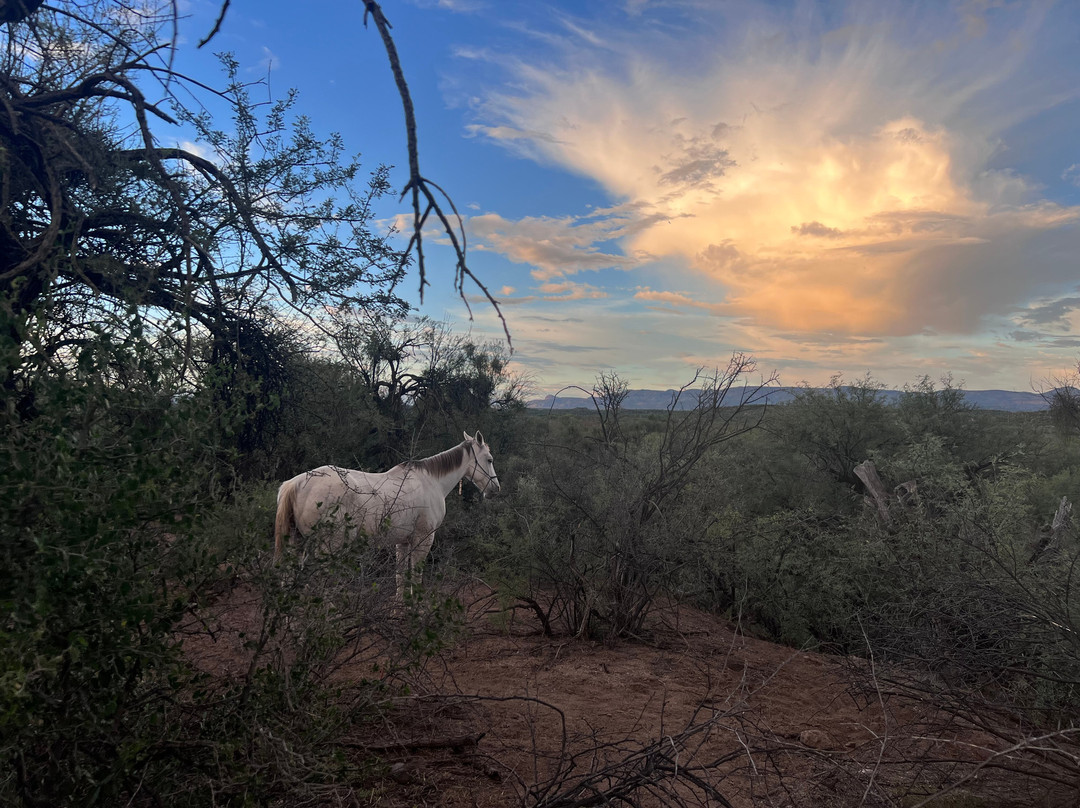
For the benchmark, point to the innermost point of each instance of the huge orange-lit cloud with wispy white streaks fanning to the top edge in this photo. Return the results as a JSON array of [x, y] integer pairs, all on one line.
[[840, 176]]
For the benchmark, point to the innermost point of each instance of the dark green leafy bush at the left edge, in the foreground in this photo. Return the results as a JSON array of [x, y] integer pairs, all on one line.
[[98, 491]]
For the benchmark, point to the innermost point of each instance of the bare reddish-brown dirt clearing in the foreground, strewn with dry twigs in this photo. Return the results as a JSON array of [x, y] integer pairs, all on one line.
[[696, 715]]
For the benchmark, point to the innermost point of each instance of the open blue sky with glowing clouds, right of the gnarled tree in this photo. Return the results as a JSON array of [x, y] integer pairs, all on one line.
[[885, 187]]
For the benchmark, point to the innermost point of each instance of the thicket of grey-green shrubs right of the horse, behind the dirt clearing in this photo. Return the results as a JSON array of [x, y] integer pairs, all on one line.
[[968, 586]]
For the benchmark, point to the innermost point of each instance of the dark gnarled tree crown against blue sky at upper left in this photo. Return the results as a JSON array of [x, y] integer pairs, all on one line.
[[211, 254]]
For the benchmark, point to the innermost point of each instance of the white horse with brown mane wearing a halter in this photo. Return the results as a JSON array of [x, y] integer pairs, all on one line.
[[403, 507]]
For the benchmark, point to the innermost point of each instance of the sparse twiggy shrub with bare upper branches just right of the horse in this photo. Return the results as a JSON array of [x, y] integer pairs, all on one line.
[[607, 519]]
